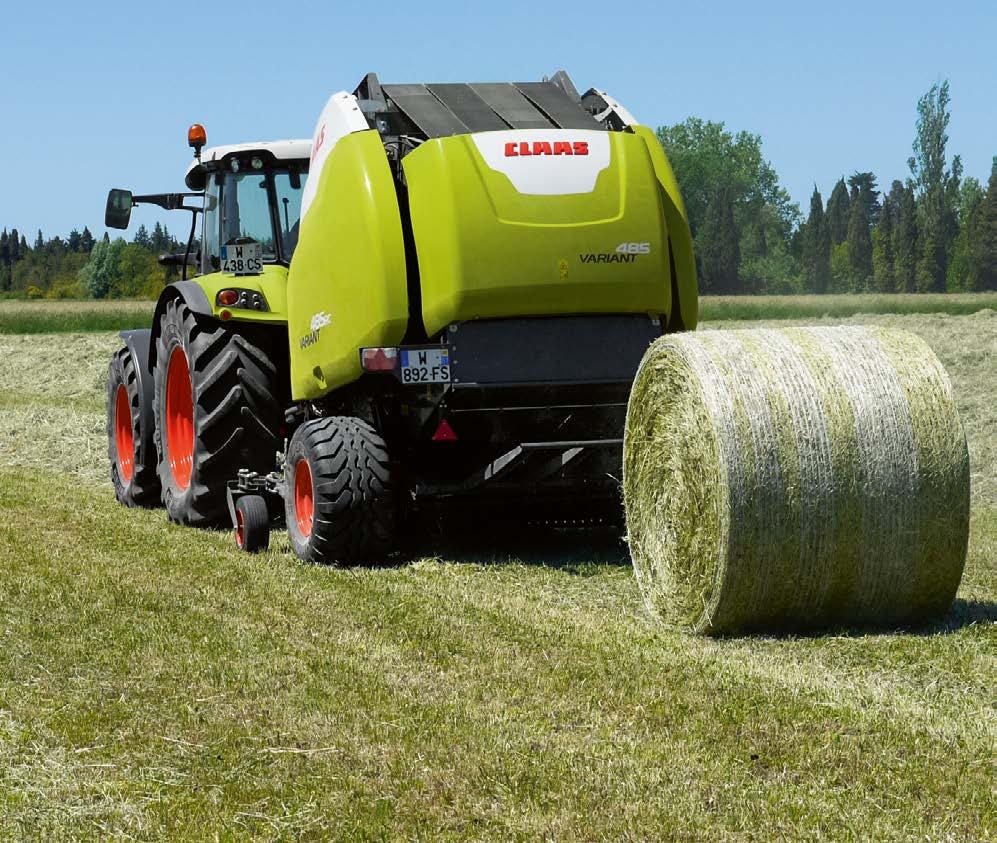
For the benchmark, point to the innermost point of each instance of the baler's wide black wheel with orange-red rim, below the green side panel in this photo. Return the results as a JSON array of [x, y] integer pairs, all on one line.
[[353, 502]]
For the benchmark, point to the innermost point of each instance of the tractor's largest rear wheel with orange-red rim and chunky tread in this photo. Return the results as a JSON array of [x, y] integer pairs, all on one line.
[[234, 413]]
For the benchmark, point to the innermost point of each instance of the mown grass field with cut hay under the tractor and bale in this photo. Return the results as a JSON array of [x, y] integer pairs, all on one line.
[[156, 683]]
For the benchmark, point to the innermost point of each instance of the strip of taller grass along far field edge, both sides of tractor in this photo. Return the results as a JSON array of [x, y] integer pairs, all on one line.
[[20, 317]]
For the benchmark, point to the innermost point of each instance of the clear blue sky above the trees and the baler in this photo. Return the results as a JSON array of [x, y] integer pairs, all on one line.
[[97, 95]]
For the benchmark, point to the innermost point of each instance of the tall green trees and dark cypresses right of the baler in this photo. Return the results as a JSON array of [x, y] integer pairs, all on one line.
[[935, 231]]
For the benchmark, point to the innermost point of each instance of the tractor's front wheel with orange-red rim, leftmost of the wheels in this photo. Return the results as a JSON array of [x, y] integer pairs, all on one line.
[[133, 470]]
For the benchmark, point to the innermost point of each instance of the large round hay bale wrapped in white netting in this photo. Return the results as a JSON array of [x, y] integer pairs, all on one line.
[[795, 478]]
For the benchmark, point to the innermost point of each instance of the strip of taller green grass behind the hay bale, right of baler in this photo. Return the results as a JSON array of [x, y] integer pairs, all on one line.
[[724, 308]]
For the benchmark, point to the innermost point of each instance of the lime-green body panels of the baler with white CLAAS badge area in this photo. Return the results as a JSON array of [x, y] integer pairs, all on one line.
[[464, 242]]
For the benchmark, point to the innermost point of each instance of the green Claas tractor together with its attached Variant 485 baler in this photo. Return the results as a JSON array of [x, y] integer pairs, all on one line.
[[440, 299]]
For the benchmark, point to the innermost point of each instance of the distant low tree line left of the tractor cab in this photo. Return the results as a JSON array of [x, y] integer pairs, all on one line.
[[81, 267]]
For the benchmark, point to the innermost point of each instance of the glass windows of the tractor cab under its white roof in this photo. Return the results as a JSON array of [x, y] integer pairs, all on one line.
[[262, 205]]
